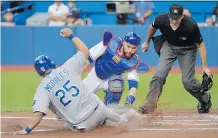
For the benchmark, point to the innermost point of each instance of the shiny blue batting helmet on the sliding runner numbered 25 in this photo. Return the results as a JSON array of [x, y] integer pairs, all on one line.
[[42, 64]]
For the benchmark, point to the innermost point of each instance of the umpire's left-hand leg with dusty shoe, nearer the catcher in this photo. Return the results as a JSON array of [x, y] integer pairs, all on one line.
[[167, 57]]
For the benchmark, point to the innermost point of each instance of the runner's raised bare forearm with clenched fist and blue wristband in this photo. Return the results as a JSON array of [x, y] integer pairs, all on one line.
[[67, 33]]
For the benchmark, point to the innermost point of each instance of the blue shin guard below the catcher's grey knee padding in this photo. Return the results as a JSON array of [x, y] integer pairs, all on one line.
[[112, 97]]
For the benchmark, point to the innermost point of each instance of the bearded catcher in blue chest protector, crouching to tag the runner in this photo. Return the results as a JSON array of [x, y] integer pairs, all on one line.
[[114, 56]]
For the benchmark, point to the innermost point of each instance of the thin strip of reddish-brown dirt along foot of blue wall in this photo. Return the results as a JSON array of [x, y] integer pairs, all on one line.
[[30, 69]]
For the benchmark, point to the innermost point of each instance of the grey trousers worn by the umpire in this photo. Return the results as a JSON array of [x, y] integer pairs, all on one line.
[[187, 59]]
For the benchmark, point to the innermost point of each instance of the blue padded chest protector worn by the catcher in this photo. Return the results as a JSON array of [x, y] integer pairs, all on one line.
[[111, 63]]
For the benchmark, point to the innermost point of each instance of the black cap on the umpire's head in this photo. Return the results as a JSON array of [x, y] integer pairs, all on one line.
[[175, 11]]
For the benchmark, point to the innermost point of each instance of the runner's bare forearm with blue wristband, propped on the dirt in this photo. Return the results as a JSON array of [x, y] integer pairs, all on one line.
[[33, 122]]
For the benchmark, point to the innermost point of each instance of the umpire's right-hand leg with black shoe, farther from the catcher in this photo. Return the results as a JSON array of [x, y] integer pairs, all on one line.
[[191, 84]]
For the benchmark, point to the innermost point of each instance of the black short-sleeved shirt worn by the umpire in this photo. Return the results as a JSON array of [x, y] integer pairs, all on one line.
[[186, 34]]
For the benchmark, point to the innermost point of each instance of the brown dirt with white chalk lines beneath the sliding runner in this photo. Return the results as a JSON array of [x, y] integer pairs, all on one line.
[[167, 124]]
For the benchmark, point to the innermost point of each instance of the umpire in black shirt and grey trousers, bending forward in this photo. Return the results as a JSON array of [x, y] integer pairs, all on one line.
[[180, 39]]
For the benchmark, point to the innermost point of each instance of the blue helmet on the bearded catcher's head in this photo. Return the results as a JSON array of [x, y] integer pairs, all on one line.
[[132, 38]]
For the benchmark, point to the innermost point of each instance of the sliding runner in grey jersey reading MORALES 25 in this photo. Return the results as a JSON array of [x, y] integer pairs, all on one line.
[[63, 92]]
